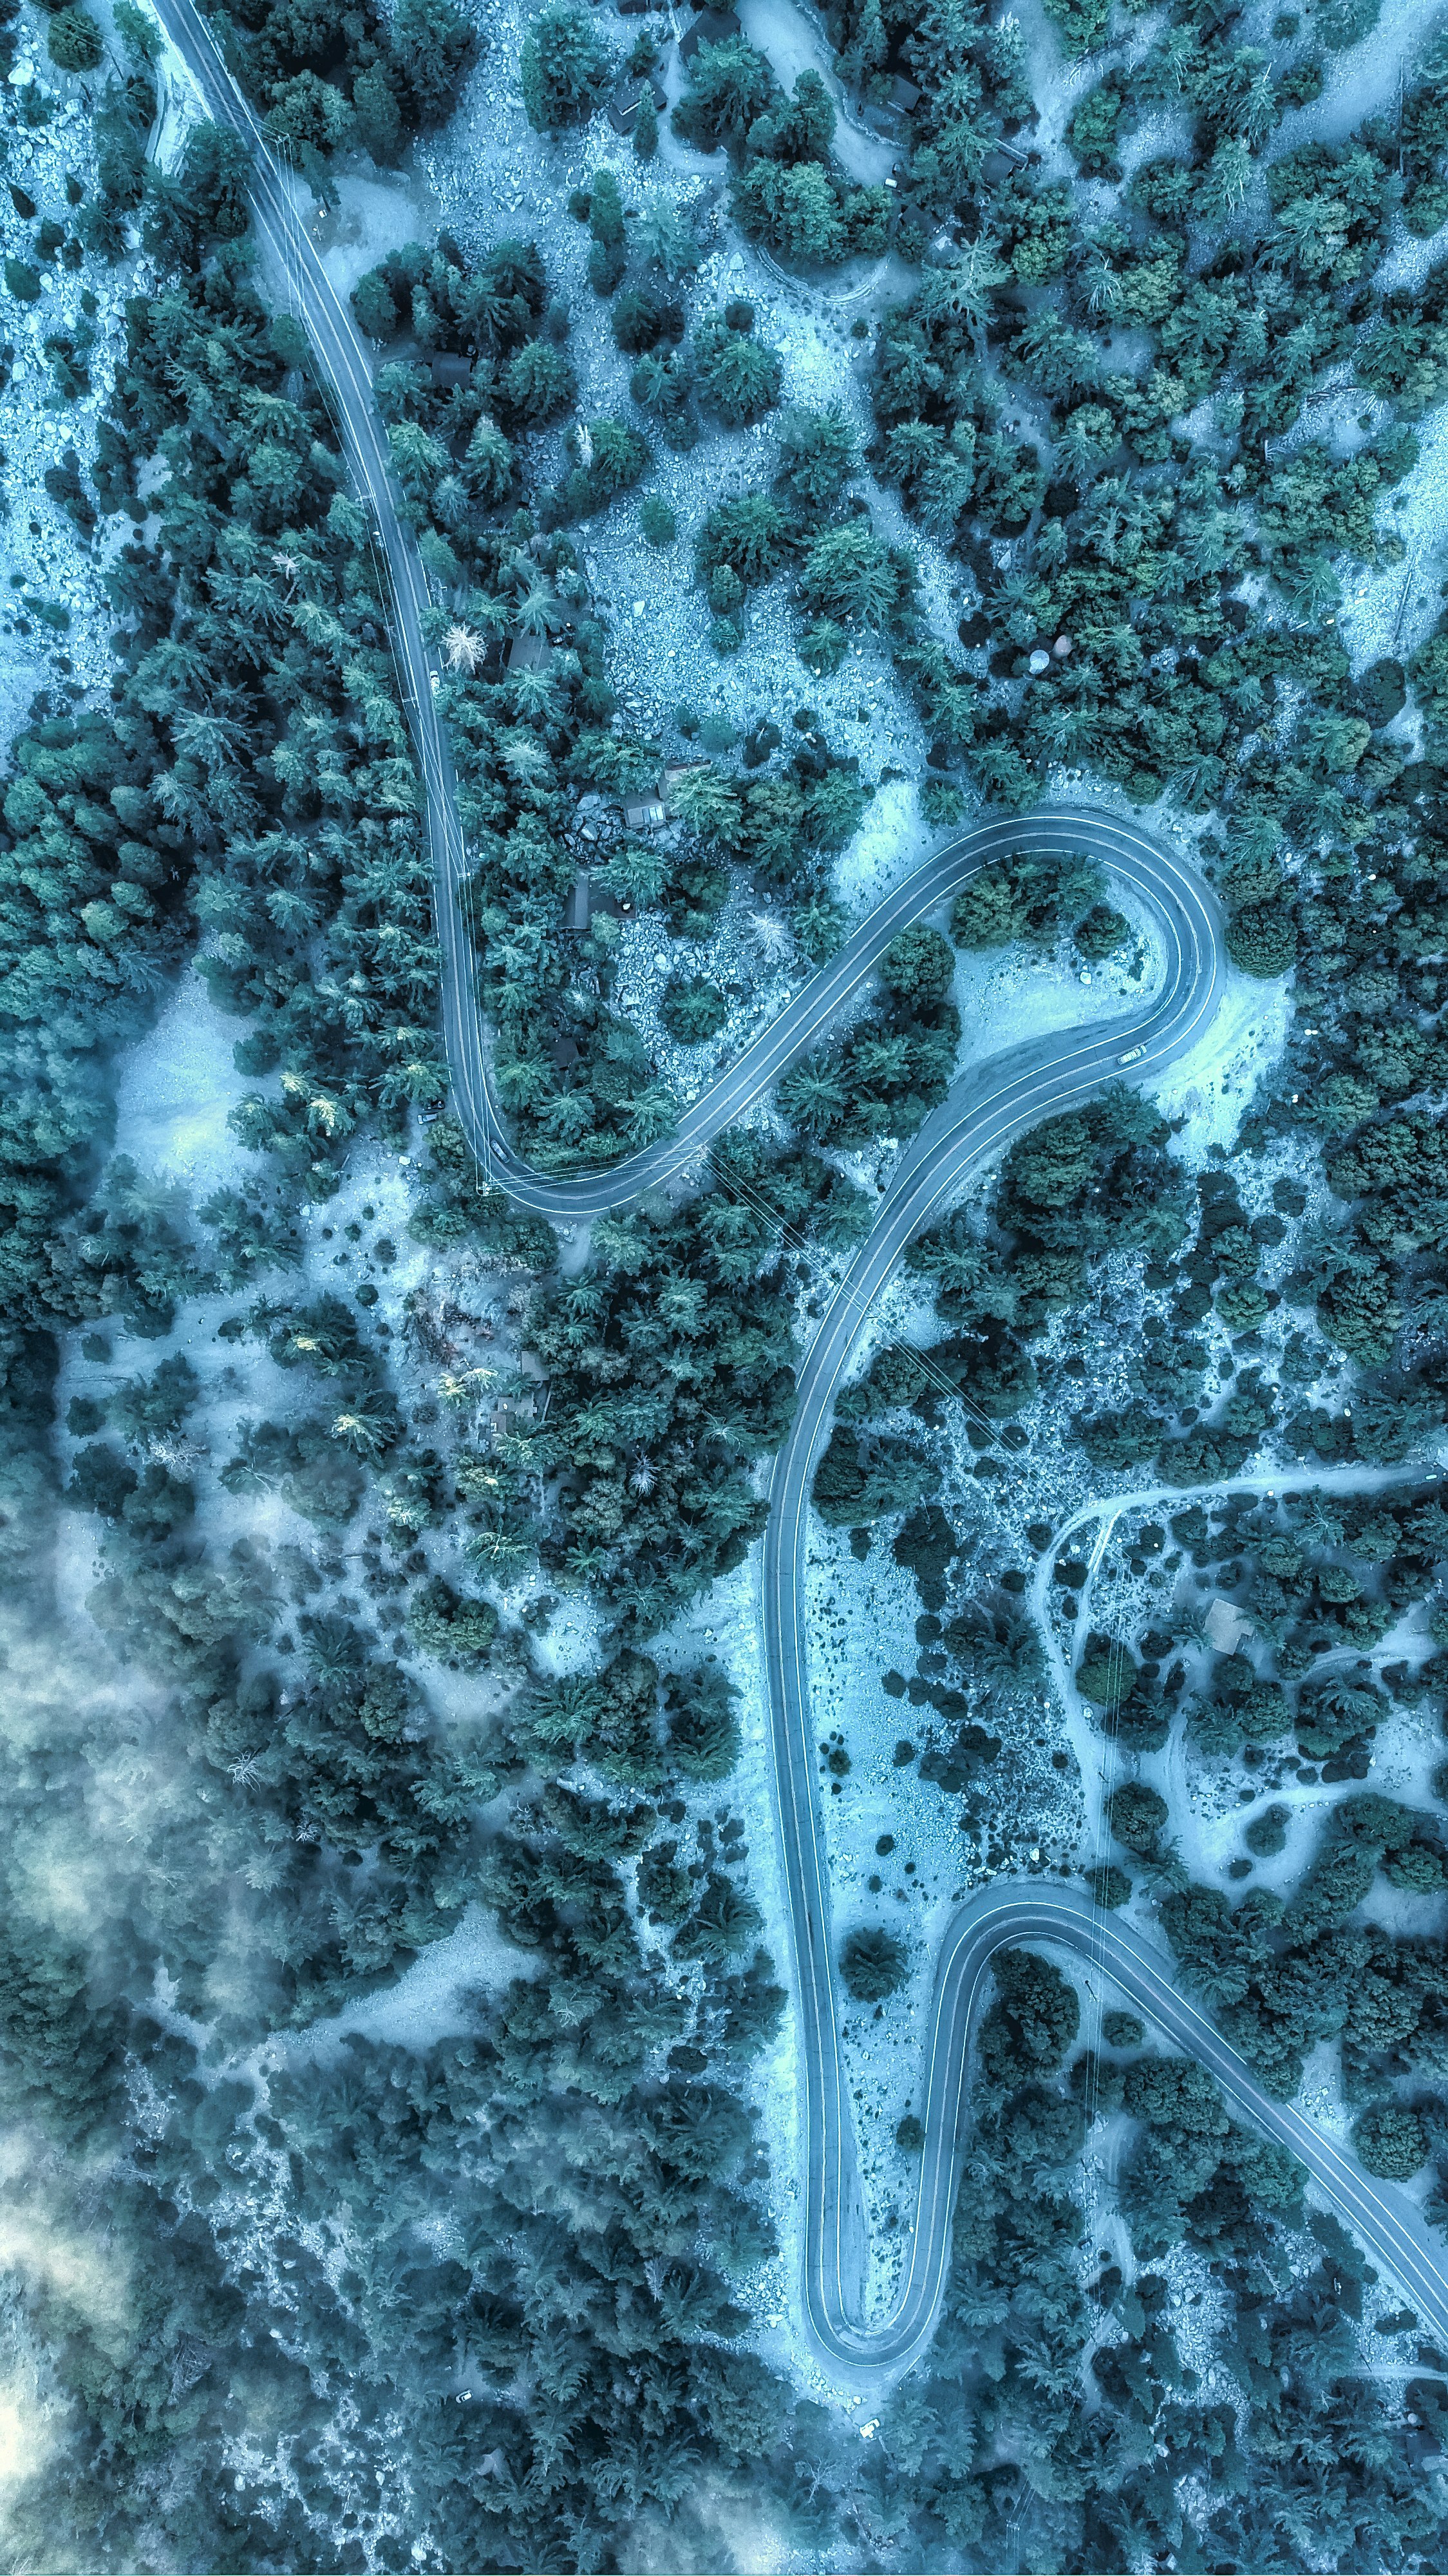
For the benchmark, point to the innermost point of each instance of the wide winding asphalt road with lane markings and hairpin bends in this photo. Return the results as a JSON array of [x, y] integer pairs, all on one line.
[[988, 1106]]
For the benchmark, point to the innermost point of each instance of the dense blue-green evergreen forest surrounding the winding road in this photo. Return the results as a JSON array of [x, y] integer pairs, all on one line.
[[292, 2297]]
